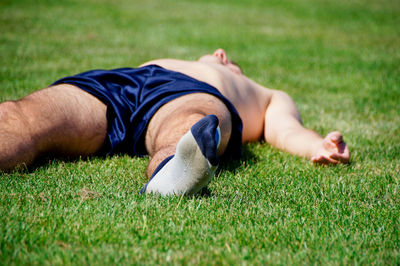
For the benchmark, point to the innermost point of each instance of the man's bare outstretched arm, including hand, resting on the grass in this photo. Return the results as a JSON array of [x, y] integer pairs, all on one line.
[[284, 130]]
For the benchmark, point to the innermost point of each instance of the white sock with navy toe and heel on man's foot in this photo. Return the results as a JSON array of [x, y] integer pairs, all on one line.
[[194, 163]]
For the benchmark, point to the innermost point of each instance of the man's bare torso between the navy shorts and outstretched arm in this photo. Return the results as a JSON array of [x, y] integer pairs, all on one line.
[[249, 98]]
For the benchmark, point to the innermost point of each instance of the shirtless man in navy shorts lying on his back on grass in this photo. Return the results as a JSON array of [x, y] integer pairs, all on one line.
[[185, 114]]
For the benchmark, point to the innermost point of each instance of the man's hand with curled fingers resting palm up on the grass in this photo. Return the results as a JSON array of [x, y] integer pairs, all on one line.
[[333, 150]]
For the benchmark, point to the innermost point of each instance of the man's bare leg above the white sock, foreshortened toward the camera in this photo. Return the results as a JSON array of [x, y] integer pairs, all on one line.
[[176, 118]]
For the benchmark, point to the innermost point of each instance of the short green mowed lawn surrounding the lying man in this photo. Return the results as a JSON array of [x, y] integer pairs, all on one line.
[[338, 59]]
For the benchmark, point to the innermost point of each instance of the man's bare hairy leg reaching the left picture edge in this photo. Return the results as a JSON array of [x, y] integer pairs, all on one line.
[[60, 120]]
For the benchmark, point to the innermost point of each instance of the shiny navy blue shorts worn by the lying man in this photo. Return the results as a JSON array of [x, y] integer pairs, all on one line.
[[133, 95]]
